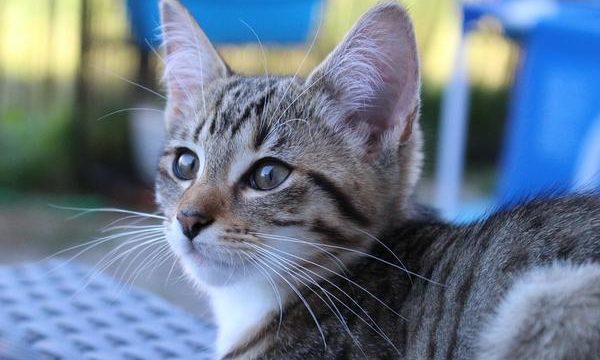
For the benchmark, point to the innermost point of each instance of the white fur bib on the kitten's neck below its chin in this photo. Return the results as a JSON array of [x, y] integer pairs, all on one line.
[[241, 309]]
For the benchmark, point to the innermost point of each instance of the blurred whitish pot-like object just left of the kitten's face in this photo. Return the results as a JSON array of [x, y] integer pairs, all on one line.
[[147, 130]]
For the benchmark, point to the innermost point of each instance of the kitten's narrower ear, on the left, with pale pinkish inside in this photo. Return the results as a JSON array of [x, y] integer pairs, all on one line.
[[191, 61]]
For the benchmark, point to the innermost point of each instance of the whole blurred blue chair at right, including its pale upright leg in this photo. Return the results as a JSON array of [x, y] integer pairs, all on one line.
[[526, 170]]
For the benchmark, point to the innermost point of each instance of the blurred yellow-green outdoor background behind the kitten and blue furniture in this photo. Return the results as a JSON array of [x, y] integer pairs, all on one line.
[[69, 110]]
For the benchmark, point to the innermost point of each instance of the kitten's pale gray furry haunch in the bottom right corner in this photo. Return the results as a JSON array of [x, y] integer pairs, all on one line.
[[554, 308]]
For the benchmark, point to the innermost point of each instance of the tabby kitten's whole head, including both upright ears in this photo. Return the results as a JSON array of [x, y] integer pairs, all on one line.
[[263, 170]]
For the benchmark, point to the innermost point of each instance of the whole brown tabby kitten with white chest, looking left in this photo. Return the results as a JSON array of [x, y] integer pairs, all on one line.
[[289, 203]]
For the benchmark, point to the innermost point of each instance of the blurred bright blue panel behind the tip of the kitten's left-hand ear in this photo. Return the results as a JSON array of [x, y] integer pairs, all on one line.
[[234, 21]]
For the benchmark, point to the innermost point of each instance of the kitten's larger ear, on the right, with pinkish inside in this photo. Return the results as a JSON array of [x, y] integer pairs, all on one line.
[[373, 75]]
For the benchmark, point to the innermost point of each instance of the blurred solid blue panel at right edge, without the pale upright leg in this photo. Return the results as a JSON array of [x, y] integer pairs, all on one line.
[[555, 115]]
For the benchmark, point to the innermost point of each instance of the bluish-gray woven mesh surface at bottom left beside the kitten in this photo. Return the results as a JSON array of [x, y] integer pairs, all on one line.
[[54, 311]]
